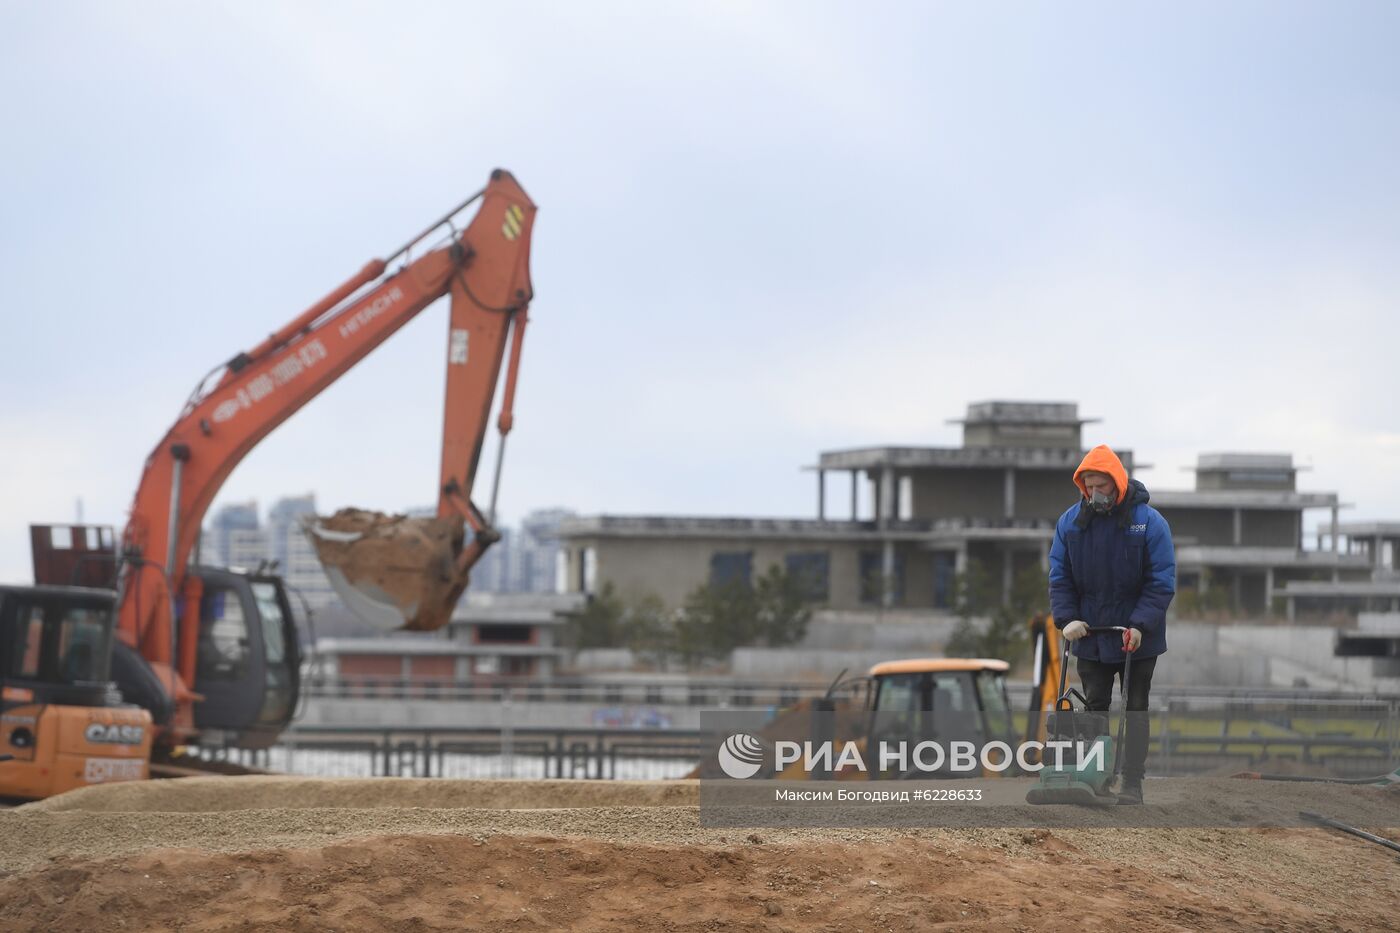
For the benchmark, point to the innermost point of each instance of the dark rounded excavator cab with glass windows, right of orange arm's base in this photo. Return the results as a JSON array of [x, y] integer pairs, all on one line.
[[248, 661]]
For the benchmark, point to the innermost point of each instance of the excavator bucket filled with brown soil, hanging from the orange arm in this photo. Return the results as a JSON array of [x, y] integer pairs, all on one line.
[[393, 571]]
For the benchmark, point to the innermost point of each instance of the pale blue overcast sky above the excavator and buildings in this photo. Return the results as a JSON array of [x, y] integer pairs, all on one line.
[[765, 230]]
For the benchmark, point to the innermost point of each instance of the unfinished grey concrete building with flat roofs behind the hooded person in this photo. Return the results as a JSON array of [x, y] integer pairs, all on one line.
[[992, 504]]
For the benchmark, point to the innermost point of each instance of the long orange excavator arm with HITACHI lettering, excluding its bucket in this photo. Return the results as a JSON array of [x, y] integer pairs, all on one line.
[[486, 272]]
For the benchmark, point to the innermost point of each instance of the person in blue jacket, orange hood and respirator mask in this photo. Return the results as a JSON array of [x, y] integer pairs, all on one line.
[[1112, 564]]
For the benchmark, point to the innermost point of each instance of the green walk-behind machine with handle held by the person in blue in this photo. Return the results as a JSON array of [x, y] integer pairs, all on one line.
[[1070, 780]]
